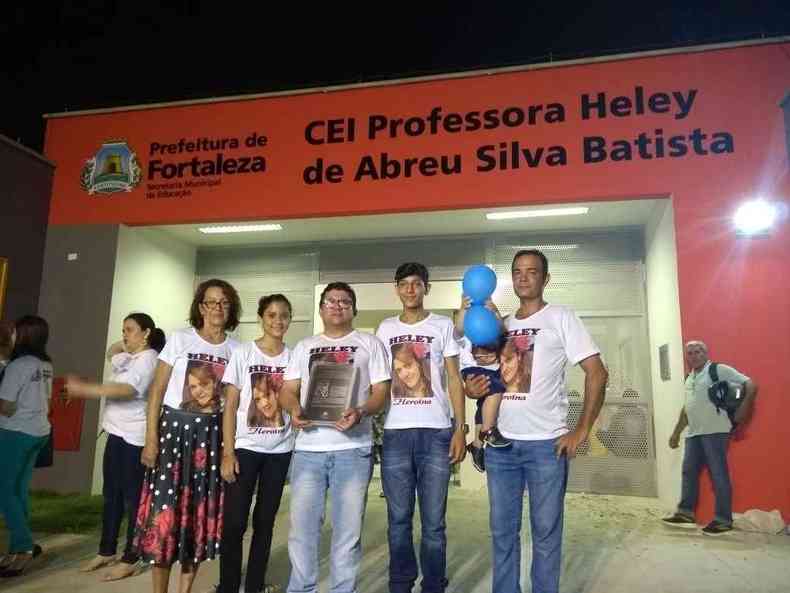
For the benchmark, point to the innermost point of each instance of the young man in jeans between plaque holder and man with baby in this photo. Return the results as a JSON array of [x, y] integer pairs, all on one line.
[[420, 439]]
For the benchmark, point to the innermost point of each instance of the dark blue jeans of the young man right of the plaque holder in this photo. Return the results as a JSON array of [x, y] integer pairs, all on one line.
[[416, 460]]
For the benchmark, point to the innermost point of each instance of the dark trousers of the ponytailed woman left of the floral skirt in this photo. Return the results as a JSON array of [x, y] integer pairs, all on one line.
[[123, 481]]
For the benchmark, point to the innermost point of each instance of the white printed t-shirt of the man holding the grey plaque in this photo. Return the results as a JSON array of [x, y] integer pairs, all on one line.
[[360, 349]]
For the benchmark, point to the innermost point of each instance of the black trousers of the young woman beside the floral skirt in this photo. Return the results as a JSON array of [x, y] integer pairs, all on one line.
[[265, 472]]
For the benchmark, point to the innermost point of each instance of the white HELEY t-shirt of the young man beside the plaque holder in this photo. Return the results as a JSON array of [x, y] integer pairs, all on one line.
[[416, 354]]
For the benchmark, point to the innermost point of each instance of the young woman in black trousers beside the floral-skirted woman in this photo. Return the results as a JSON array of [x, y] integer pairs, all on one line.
[[258, 464]]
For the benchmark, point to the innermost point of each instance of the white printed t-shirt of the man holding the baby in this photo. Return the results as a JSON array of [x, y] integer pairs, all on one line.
[[535, 406]]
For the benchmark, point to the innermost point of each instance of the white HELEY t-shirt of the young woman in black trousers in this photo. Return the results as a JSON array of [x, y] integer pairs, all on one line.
[[261, 425]]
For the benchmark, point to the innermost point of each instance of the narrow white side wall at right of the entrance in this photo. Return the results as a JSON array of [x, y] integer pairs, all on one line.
[[663, 306]]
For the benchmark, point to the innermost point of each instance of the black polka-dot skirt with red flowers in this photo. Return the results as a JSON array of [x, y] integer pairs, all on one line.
[[180, 514]]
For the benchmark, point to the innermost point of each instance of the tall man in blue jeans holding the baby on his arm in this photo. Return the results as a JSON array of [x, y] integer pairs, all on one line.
[[541, 340]]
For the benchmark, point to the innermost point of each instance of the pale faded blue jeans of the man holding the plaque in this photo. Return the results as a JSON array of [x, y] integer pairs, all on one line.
[[345, 475]]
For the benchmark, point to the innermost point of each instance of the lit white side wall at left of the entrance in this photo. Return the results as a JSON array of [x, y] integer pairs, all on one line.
[[154, 274]]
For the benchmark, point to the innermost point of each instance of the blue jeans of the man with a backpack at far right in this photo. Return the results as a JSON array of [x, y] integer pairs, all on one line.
[[710, 450]]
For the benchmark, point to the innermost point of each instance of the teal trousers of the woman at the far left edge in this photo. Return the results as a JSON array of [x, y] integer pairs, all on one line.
[[19, 452]]
